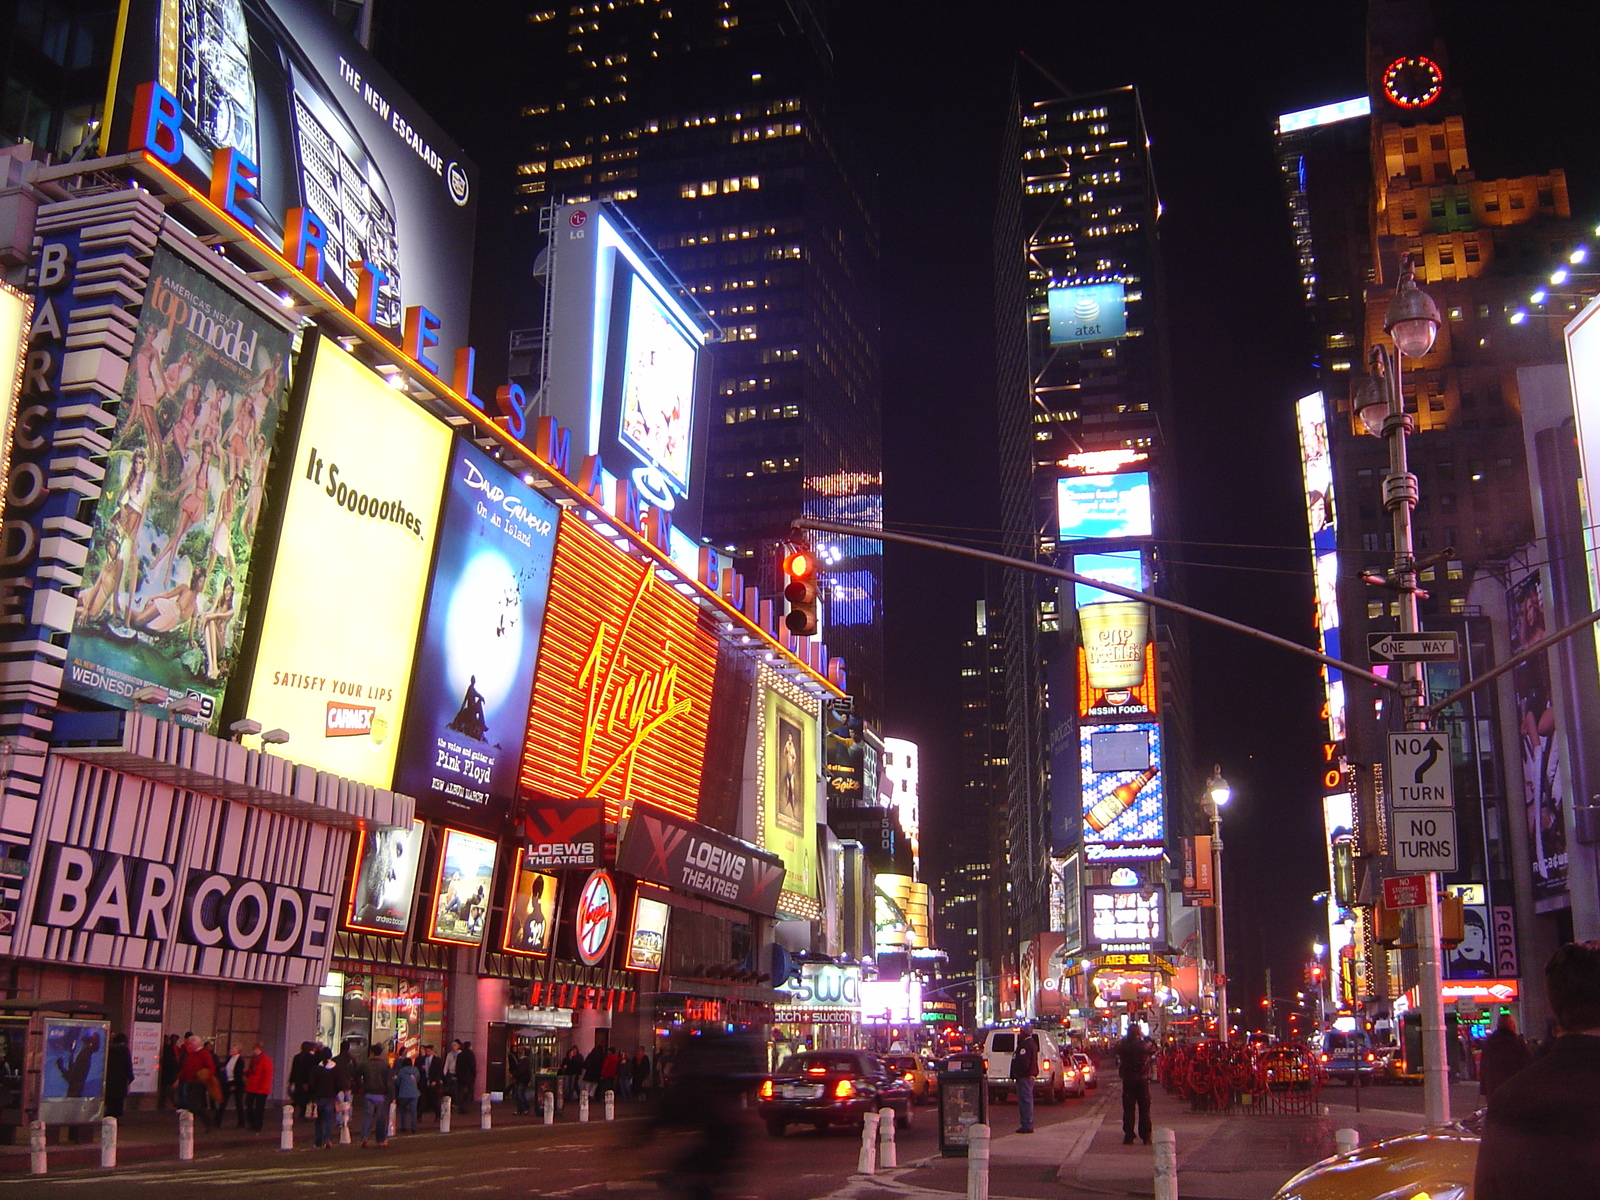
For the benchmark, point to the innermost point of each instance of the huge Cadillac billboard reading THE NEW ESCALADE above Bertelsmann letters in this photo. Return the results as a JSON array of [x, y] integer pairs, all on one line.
[[327, 129]]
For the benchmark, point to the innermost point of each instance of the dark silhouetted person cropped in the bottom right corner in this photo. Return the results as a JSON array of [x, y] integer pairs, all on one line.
[[1542, 1135]]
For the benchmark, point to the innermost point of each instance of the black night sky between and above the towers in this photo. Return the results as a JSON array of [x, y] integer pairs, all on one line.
[[930, 86]]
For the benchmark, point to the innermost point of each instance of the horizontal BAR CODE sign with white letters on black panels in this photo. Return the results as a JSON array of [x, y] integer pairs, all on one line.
[[140, 898]]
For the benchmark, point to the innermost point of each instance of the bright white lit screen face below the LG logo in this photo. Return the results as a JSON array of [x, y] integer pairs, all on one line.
[[658, 388]]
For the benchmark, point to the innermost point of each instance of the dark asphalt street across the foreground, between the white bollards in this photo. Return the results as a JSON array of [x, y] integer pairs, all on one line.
[[526, 1161]]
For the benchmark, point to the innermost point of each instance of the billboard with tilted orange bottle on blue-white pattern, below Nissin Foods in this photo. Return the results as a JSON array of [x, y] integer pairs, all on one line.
[[1124, 804]]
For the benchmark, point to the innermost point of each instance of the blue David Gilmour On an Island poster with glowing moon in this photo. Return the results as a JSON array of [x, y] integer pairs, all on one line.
[[468, 711]]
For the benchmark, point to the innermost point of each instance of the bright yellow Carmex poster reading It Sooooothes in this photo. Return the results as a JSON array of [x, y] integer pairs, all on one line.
[[351, 569]]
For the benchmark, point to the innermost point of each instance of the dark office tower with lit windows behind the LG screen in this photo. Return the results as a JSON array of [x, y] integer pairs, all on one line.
[[714, 127]]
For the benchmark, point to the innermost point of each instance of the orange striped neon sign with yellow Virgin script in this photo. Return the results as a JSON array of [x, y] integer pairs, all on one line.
[[622, 697]]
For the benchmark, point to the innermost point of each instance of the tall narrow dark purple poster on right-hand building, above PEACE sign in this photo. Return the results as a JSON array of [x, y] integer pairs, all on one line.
[[1542, 761]]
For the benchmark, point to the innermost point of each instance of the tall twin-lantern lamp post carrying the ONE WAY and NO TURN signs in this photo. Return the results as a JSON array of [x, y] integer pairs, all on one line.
[[1412, 322]]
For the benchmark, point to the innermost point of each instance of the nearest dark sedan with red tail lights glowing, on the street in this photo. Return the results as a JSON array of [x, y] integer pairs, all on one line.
[[833, 1087]]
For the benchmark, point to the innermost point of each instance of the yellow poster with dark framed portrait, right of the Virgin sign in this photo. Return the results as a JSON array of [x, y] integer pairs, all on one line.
[[790, 790]]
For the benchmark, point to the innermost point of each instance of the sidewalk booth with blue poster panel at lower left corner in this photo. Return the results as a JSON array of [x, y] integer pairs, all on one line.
[[52, 1063]]
